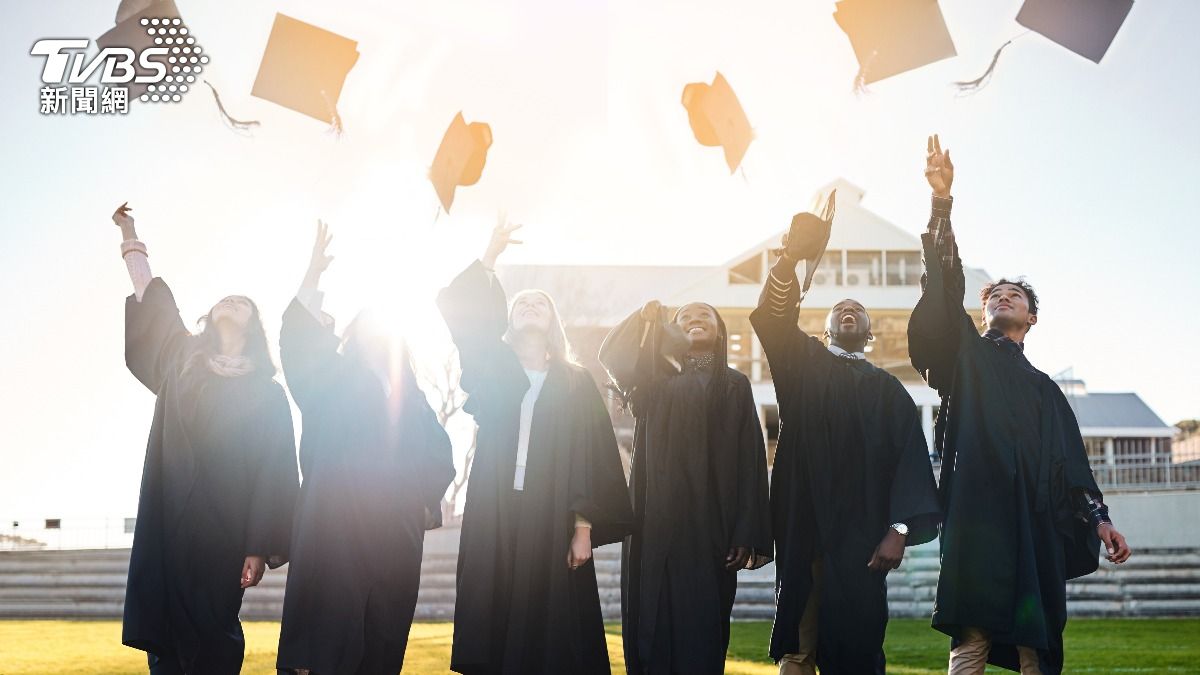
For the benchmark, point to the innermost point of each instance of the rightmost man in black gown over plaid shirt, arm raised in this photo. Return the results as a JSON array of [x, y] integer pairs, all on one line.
[[1023, 512]]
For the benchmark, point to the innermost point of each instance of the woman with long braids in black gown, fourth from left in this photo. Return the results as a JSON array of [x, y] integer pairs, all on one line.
[[699, 486]]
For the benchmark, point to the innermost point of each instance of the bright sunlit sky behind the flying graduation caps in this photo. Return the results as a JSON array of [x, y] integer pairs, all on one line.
[[1081, 177]]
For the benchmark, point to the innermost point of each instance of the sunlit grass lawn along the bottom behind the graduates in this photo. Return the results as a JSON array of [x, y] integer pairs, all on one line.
[[1094, 646]]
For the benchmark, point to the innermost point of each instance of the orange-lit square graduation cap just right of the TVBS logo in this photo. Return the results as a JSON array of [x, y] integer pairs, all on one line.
[[304, 69]]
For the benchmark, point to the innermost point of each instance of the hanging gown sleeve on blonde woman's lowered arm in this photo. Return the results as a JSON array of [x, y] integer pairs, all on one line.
[[598, 491]]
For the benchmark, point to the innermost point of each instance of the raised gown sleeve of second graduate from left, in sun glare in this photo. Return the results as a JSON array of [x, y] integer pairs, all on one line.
[[309, 354]]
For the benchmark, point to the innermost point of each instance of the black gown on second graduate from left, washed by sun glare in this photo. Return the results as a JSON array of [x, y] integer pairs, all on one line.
[[370, 473]]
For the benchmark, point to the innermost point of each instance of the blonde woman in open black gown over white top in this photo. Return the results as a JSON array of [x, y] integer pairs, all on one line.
[[547, 486]]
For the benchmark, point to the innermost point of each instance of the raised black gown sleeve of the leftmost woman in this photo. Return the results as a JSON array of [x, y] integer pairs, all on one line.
[[155, 338]]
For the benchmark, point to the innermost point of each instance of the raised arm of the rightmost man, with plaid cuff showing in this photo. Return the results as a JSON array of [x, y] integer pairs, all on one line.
[[939, 319]]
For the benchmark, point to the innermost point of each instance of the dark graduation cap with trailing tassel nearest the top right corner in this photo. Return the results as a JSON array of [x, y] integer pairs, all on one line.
[[1085, 27]]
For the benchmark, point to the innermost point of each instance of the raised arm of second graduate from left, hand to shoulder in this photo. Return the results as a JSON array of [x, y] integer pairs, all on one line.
[[308, 344]]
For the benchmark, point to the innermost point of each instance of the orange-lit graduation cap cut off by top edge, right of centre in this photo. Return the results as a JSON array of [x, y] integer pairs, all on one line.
[[893, 37]]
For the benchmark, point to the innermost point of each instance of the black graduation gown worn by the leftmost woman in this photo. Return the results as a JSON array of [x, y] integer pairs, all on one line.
[[219, 485]]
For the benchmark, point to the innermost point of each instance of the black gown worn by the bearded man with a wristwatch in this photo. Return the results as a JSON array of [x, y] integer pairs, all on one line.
[[851, 461]]
